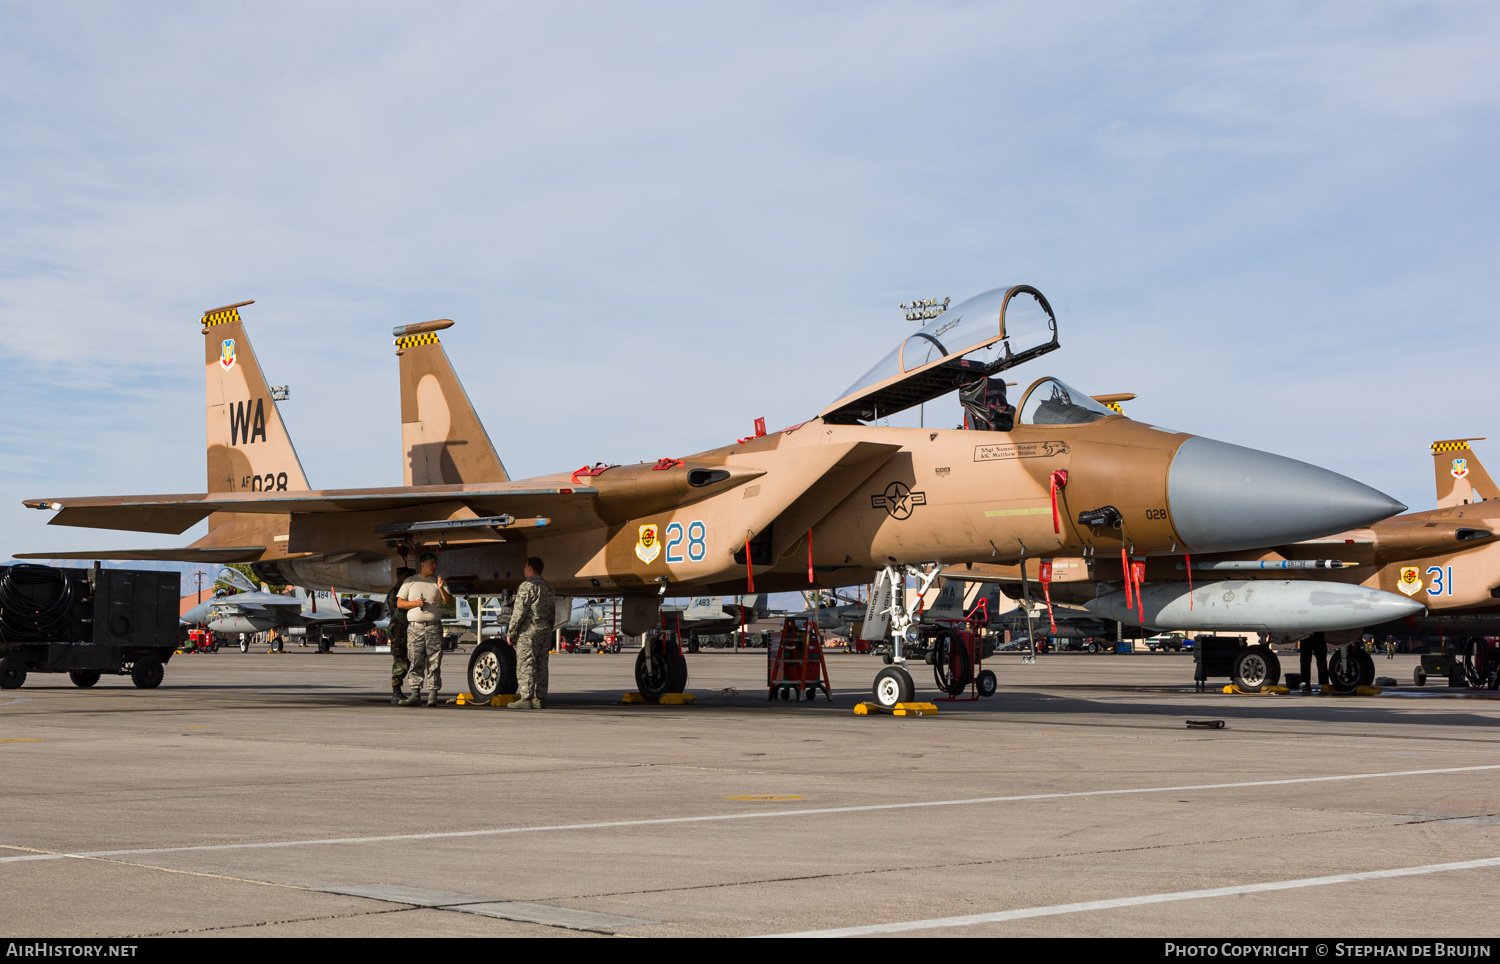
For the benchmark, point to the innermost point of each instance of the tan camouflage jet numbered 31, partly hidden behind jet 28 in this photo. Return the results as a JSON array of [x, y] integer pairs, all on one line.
[[1445, 560]]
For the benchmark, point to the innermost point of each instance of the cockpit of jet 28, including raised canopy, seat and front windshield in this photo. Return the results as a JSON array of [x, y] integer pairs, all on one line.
[[964, 350]]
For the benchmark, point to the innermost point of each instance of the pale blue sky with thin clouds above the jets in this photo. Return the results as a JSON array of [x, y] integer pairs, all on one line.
[[655, 224]]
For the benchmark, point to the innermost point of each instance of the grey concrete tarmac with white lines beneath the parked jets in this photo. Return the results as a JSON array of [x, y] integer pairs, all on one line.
[[257, 795]]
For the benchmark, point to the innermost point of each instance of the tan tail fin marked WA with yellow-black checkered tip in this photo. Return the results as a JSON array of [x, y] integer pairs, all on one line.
[[248, 445]]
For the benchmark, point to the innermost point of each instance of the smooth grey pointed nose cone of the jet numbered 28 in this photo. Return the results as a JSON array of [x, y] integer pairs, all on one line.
[[1226, 497]]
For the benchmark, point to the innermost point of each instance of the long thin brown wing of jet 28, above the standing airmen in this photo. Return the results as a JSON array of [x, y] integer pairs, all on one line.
[[176, 513]]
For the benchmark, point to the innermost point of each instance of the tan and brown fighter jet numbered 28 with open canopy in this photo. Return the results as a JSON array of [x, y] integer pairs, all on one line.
[[820, 504]]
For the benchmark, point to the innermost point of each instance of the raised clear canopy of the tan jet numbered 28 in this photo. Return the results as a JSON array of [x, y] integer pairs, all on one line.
[[988, 334]]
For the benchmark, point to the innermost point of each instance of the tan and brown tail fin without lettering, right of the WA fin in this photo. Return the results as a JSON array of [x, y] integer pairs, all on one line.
[[442, 439]]
